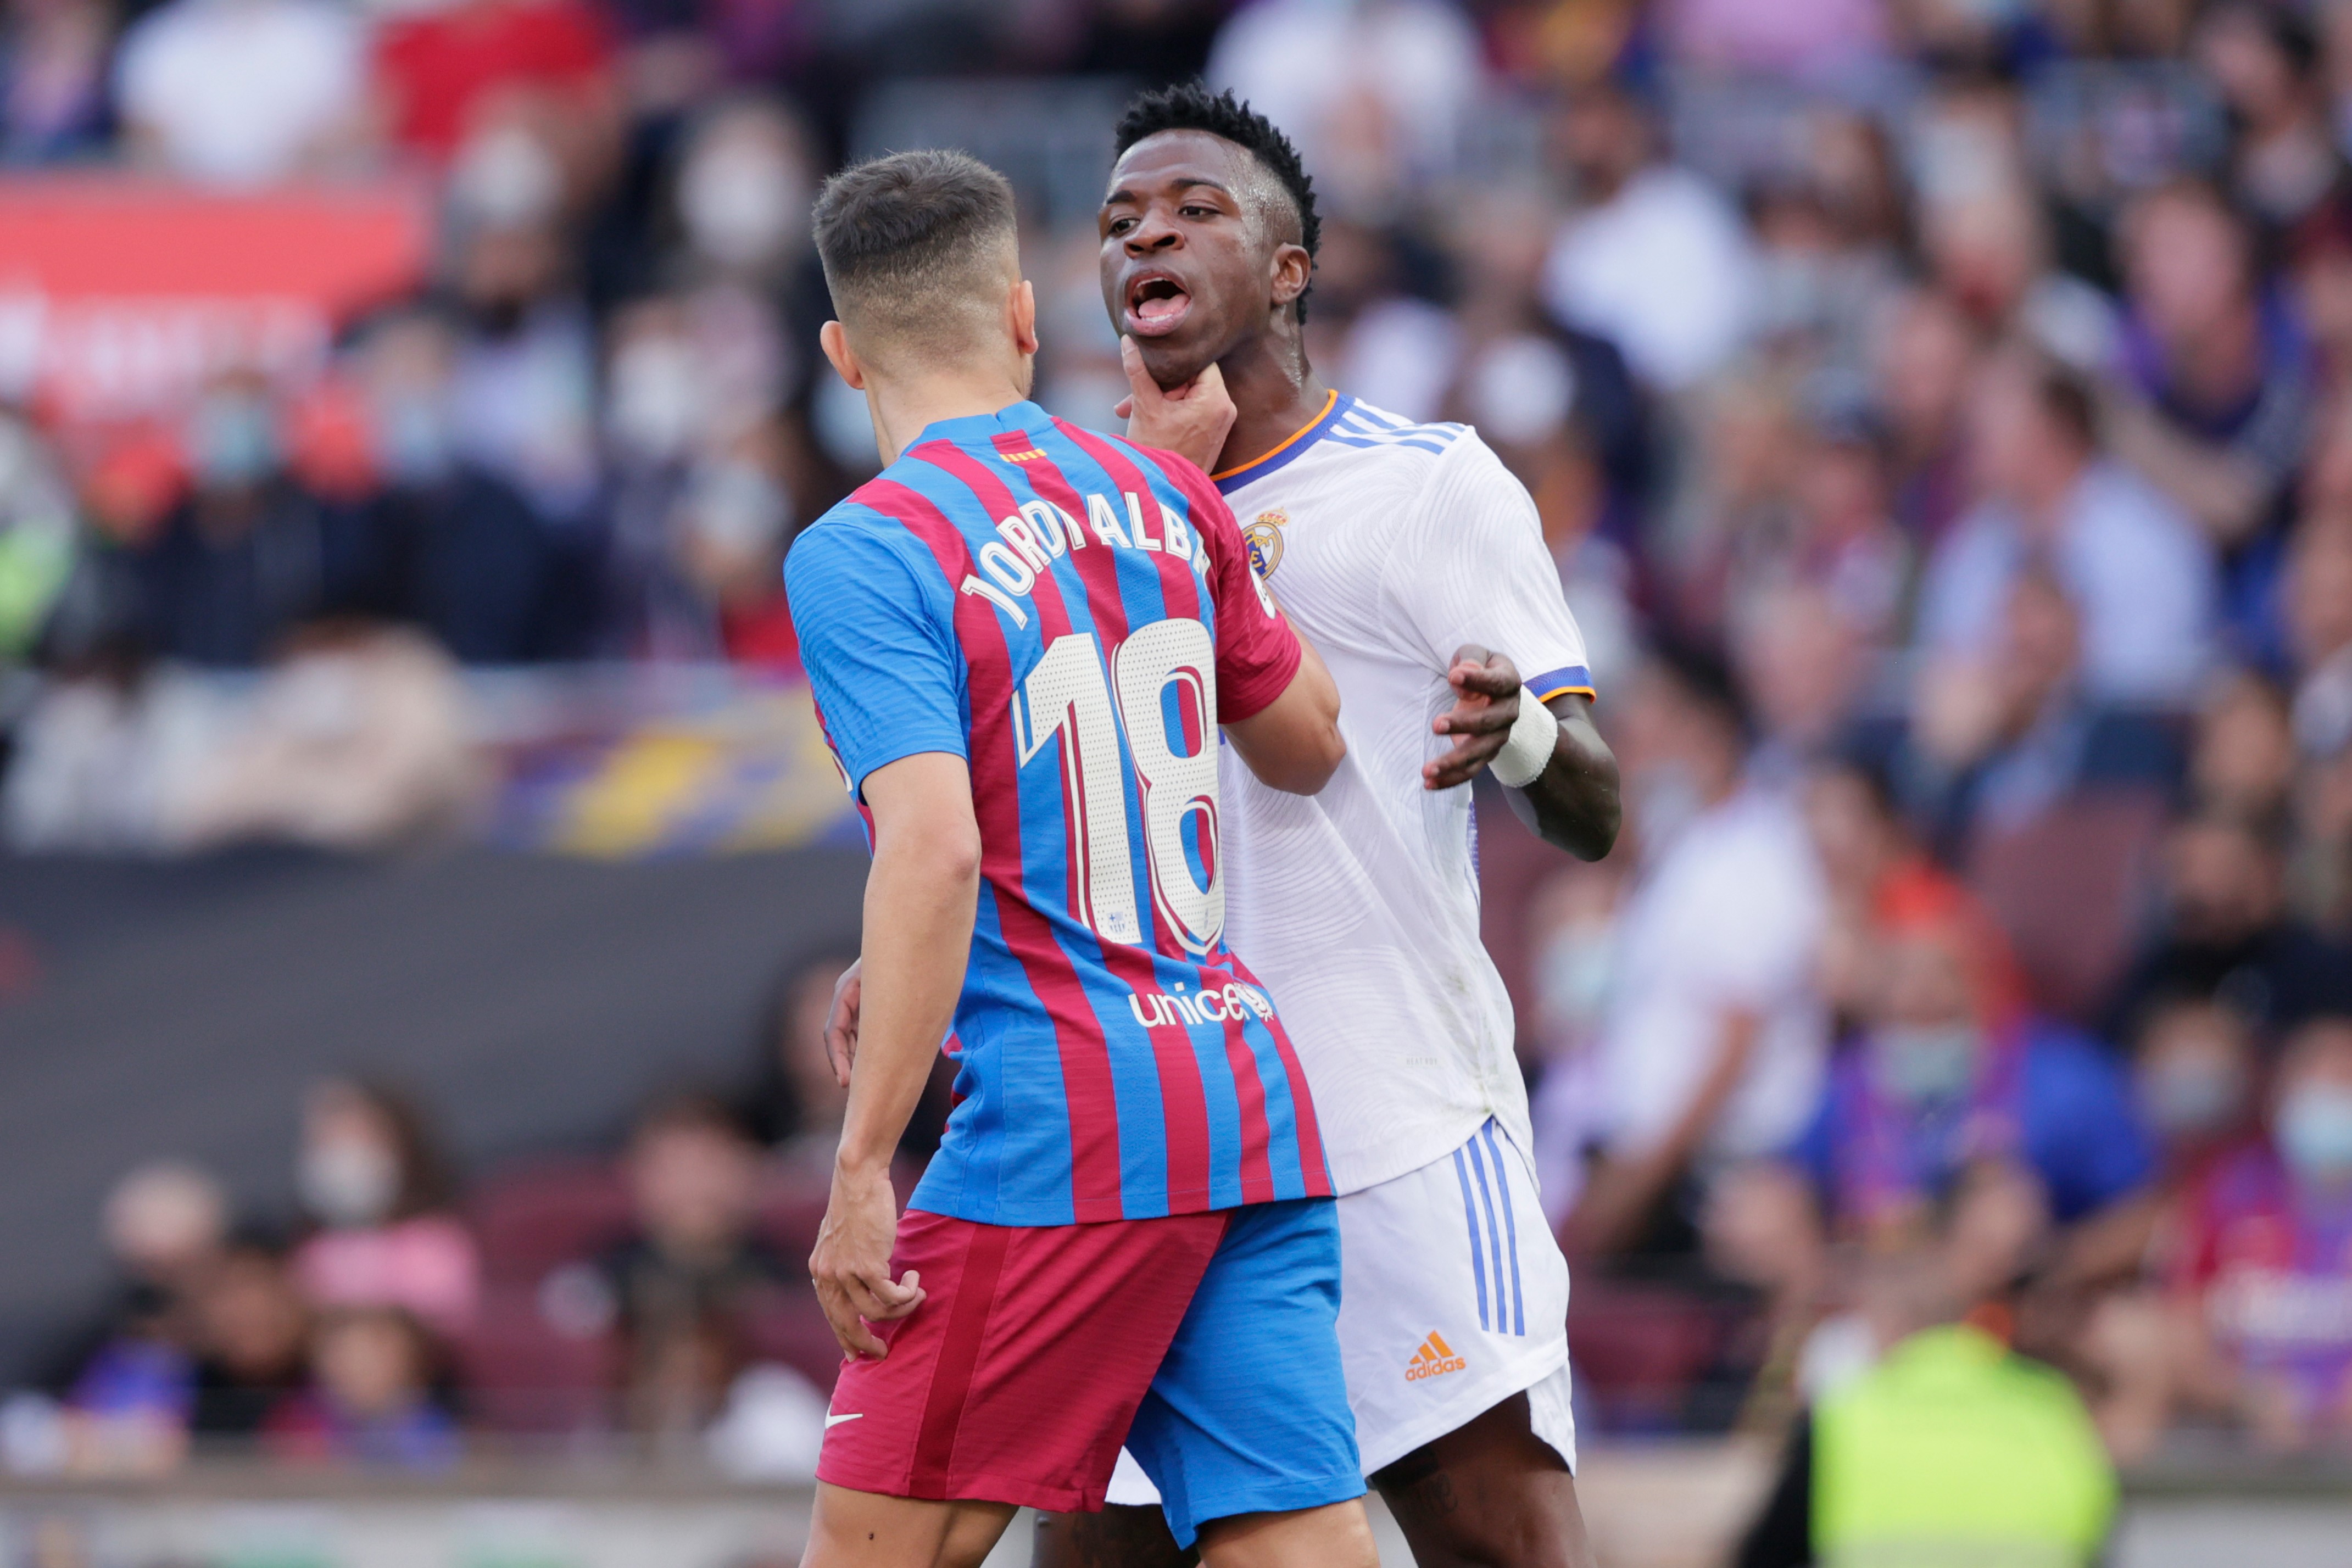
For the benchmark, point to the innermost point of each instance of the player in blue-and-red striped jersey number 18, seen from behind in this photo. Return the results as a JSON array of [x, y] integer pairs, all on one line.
[[1024, 641]]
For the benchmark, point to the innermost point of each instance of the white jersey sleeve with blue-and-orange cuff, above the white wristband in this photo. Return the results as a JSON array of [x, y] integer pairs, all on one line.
[[1474, 568]]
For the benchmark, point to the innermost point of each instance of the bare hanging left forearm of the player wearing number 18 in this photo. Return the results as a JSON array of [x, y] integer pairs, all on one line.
[[918, 934]]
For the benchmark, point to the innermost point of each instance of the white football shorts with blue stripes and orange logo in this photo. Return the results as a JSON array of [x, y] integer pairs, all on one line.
[[1455, 1296]]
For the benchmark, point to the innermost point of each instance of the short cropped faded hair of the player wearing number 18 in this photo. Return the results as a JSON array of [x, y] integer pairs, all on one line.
[[911, 243]]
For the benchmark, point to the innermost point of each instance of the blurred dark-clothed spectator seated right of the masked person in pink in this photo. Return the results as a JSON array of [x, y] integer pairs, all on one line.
[[695, 1280]]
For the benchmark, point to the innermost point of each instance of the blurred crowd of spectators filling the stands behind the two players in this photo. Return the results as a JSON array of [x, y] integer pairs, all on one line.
[[1942, 415]]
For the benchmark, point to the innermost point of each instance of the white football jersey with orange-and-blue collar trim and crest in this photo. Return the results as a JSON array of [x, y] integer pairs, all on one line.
[[1389, 544]]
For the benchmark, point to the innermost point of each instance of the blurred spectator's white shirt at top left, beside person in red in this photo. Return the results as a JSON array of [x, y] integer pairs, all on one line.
[[243, 93]]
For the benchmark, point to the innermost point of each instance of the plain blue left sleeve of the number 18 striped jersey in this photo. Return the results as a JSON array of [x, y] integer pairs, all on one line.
[[878, 645]]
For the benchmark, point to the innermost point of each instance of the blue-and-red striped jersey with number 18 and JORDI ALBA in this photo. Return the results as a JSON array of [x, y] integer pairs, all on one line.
[[1074, 619]]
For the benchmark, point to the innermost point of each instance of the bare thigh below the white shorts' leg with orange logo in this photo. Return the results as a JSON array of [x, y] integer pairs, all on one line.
[[1492, 1494]]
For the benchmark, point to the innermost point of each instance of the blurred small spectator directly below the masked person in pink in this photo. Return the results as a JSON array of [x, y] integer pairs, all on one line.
[[370, 1398]]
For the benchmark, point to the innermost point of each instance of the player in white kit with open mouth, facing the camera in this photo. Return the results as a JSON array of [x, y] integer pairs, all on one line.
[[1417, 565]]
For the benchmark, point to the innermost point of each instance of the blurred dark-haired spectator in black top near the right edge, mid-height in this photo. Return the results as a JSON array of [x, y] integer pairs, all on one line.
[[2229, 934]]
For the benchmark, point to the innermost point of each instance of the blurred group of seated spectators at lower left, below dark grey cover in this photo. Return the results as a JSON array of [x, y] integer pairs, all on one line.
[[650, 1299]]
